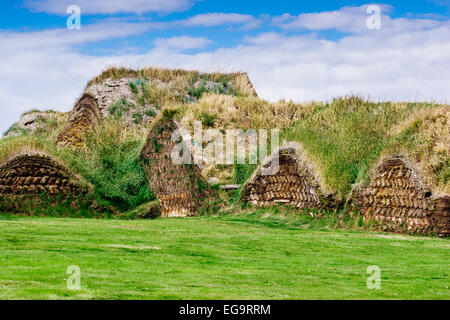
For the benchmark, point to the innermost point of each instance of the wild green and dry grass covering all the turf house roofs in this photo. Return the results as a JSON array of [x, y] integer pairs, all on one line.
[[343, 139]]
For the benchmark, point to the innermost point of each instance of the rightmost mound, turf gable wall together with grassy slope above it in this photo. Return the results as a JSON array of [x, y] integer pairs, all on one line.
[[407, 190]]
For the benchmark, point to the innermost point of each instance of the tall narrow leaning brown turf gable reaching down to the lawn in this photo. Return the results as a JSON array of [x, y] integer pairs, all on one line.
[[179, 187]]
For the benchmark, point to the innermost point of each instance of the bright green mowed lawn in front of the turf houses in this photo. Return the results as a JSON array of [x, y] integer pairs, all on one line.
[[226, 257]]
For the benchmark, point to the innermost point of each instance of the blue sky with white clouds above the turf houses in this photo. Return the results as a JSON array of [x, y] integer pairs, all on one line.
[[291, 49]]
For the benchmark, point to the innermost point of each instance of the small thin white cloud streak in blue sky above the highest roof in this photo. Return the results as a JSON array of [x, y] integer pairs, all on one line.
[[219, 19]]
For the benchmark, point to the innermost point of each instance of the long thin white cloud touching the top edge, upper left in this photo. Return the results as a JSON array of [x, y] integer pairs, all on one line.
[[109, 6]]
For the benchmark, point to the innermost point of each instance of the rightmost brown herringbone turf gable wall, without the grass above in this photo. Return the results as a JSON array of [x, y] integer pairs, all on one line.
[[399, 201]]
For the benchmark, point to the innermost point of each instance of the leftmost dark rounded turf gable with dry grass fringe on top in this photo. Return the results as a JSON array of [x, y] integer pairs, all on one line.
[[36, 180]]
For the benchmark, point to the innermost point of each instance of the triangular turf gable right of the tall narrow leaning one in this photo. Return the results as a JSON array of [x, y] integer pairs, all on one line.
[[294, 184]]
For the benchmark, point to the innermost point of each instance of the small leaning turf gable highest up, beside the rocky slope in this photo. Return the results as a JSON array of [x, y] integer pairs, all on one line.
[[84, 118]]
